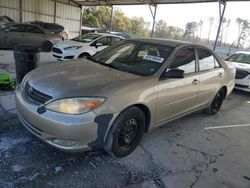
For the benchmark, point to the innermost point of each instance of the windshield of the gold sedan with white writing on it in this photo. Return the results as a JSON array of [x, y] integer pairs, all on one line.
[[135, 57]]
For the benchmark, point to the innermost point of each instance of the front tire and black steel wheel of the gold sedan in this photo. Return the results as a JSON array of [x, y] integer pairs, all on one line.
[[126, 132]]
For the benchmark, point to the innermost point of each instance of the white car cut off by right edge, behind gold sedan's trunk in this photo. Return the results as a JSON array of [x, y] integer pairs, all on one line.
[[241, 61]]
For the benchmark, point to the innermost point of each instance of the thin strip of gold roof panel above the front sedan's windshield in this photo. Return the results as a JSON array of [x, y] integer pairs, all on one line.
[[161, 41]]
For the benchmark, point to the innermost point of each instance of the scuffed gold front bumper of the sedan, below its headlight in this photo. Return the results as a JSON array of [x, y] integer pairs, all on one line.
[[51, 125]]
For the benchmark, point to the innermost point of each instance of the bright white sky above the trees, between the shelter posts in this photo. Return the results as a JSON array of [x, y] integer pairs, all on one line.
[[179, 14]]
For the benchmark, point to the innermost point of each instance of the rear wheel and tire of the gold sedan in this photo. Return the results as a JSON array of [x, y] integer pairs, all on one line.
[[216, 103]]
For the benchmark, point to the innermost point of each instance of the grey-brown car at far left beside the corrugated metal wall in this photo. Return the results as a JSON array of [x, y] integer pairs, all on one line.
[[27, 35]]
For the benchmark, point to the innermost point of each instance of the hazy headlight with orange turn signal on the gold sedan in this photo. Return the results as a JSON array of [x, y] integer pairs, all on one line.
[[75, 105]]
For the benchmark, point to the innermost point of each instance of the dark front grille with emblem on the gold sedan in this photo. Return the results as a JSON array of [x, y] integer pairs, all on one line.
[[36, 95]]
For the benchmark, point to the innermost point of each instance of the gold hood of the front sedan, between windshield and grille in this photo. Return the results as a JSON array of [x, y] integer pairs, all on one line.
[[78, 78]]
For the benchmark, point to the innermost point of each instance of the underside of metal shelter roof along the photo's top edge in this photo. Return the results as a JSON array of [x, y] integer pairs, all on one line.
[[141, 2]]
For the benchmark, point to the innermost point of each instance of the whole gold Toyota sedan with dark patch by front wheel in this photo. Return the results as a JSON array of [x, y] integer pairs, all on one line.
[[110, 100]]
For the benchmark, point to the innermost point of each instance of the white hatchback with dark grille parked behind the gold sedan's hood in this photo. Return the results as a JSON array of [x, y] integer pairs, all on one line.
[[84, 46]]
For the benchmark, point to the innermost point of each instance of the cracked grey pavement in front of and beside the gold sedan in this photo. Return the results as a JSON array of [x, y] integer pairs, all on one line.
[[178, 155]]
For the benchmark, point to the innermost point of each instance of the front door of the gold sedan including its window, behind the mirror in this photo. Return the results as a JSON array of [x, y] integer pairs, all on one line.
[[177, 96]]
